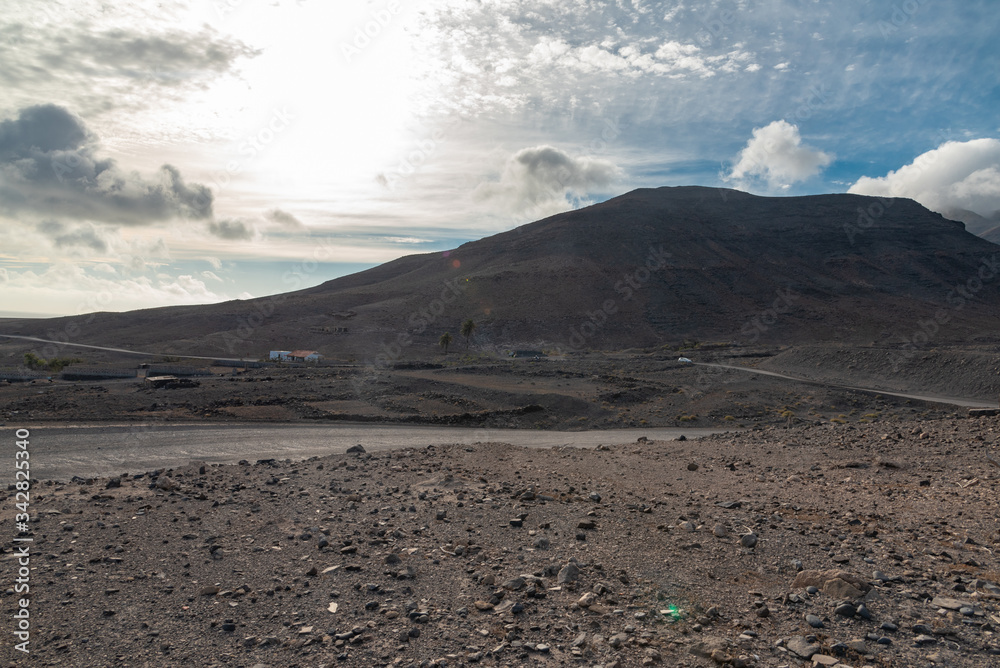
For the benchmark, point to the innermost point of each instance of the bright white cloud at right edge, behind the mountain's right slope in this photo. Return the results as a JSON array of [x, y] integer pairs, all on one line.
[[955, 175]]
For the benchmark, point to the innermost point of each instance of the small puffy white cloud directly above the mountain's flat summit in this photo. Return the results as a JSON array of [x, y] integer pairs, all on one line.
[[776, 154]]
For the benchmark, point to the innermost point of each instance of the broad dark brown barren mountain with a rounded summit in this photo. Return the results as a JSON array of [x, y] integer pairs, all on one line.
[[651, 267]]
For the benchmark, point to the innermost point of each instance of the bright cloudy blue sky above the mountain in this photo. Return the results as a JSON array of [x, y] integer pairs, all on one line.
[[181, 152]]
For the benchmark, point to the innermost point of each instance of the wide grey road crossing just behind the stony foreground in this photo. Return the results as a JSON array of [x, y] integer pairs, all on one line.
[[59, 453]]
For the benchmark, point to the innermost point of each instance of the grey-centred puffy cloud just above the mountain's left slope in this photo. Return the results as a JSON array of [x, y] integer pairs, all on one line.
[[540, 179]]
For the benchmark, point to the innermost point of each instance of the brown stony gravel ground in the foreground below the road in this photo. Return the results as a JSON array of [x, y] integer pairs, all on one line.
[[692, 553]]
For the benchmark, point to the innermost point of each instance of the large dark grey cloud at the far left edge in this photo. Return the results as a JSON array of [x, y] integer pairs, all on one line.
[[49, 166]]
